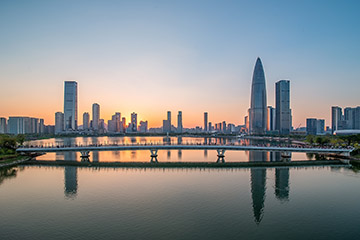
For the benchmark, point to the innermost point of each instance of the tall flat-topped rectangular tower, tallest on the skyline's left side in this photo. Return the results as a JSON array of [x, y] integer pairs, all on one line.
[[70, 105]]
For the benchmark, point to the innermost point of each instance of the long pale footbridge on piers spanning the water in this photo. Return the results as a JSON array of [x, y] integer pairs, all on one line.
[[154, 148]]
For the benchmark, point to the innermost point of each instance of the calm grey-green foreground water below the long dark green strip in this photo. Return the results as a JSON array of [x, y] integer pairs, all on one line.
[[123, 203]]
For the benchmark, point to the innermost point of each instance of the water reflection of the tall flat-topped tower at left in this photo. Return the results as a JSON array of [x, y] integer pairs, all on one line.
[[70, 175]]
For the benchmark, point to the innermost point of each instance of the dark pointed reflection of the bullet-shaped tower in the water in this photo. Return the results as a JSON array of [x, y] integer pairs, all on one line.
[[258, 184]]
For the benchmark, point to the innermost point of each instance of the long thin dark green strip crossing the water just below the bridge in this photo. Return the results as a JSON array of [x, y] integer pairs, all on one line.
[[183, 164]]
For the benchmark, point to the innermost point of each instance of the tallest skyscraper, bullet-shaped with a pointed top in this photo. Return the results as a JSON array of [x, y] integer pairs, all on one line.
[[258, 103]]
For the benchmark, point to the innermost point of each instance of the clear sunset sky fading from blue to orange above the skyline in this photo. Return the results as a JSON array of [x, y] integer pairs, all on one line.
[[193, 56]]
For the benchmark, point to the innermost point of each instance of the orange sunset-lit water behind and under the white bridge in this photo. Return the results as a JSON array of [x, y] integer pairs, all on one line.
[[163, 155]]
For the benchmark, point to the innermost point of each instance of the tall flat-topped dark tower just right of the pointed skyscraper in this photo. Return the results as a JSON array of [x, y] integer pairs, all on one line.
[[282, 107]]
